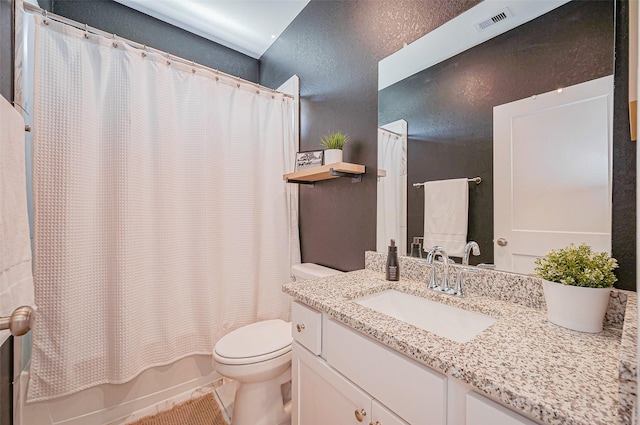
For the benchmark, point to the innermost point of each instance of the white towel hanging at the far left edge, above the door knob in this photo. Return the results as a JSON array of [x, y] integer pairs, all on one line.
[[16, 281]]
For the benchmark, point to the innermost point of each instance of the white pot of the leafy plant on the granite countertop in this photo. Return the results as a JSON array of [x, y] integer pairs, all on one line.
[[575, 307]]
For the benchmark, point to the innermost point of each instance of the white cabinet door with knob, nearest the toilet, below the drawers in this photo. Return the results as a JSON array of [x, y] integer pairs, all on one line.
[[322, 396]]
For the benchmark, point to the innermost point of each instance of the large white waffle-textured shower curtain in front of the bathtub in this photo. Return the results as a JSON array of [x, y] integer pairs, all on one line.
[[161, 218]]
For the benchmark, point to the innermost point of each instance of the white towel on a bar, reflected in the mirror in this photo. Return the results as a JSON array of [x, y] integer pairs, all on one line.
[[446, 213]]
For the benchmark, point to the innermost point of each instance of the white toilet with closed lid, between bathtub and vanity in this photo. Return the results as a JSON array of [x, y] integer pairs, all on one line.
[[258, 357]]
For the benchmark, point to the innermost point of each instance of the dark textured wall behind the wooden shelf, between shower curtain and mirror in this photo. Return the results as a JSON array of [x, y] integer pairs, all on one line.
[[334, 47]]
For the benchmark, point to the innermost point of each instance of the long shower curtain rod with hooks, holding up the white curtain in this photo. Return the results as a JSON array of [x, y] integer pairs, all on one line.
[[48, 15]]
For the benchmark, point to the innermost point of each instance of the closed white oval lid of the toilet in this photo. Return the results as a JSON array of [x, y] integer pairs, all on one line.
[[255, 340]]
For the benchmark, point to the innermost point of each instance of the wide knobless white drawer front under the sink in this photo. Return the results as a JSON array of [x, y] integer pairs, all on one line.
[[414, 392]]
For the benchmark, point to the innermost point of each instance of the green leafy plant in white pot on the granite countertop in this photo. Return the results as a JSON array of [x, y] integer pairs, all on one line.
[[577, 284]]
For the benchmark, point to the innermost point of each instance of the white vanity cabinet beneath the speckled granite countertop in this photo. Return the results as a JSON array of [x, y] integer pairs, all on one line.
[[341, 377]]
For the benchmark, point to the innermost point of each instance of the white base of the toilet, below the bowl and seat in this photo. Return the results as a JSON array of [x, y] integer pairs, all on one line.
[[261, 403]]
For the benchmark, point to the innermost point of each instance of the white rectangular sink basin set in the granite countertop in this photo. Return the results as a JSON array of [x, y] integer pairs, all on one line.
[[450, 322]]
